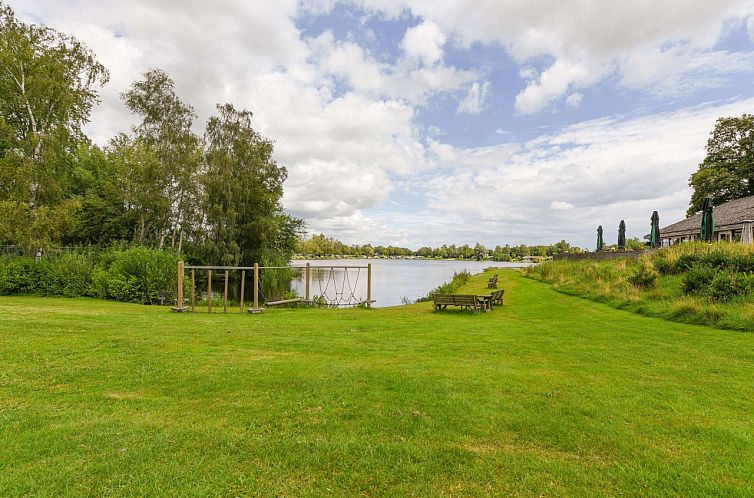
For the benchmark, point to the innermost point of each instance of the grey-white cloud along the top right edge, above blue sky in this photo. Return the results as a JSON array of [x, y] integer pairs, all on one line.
[[590, 41]]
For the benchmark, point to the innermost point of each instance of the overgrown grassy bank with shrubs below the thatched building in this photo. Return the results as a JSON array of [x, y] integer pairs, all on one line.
[[706, 284]]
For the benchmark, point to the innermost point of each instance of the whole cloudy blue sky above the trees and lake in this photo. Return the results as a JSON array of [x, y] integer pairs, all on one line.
[[430, 122]]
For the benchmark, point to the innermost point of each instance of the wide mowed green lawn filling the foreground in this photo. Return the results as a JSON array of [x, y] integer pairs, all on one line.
[[550, 395]]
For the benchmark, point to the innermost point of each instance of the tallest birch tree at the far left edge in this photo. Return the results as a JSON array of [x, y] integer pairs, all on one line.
[[48, 85]]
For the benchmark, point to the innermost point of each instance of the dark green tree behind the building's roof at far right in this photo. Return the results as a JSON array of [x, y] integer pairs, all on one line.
[[728, 170]]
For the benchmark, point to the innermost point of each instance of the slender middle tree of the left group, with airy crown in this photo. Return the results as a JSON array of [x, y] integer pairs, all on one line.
[[165, 130]]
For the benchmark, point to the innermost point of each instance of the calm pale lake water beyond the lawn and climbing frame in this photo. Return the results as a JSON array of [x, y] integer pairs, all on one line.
[[392, 279]]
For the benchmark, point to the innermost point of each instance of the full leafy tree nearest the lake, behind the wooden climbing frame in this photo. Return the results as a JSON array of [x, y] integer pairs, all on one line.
[[244, 218]]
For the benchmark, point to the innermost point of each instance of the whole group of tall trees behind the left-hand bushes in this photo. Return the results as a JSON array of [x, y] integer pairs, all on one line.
[[214, 197]]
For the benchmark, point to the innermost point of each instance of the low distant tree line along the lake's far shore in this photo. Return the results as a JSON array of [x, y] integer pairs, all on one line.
[[323, 246]]
